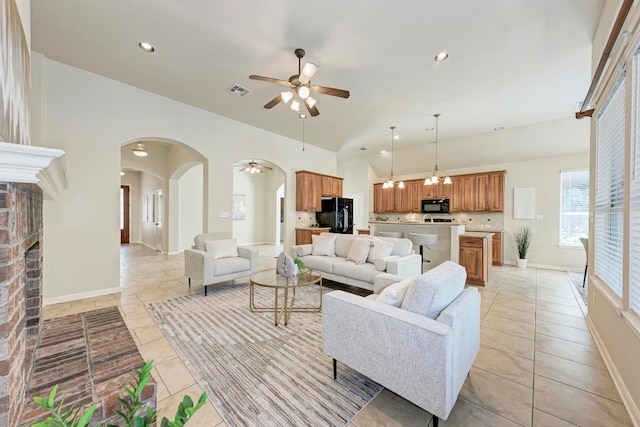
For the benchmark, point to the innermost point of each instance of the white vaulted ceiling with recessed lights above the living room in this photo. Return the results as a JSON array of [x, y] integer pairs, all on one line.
[[512, 62]]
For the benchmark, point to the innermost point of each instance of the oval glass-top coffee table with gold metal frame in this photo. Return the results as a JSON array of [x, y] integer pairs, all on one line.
[[271, 279]]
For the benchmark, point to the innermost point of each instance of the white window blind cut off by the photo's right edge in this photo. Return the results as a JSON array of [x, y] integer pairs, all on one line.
[[634, 202]]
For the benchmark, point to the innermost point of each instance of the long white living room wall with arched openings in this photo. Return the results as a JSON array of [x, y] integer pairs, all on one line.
[[89, 117]]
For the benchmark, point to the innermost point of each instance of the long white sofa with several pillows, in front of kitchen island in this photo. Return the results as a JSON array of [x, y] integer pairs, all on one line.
[[398, 259]]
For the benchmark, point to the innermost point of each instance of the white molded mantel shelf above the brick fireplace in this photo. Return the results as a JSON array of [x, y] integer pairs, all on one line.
[[35, 165]]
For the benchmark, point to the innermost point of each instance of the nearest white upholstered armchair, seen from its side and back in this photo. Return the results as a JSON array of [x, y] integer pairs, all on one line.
[[421, 350]]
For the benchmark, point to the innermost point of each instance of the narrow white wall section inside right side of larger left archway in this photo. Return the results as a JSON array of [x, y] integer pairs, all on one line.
[[190, 206]]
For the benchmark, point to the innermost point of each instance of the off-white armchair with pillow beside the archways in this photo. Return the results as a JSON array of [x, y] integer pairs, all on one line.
[[215, 258]]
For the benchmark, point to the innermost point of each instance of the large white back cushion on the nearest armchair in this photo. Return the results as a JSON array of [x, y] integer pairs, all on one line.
[[434, 290]]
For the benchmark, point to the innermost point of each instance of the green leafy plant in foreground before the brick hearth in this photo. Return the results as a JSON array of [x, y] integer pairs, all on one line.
[[132, 413]]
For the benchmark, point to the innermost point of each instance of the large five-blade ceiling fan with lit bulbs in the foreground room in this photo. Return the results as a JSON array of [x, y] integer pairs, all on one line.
[[300, 88]]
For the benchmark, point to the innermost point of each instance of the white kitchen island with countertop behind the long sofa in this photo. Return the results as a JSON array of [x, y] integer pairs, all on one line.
[[447, 247]]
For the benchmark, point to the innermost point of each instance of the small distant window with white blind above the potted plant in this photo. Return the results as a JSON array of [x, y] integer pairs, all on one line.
[[574, 206]]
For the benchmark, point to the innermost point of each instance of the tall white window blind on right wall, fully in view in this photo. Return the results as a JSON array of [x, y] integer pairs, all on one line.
[[609, 201]]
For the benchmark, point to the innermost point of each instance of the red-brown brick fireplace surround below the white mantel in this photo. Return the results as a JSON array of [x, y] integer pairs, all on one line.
[[20, 290]]
